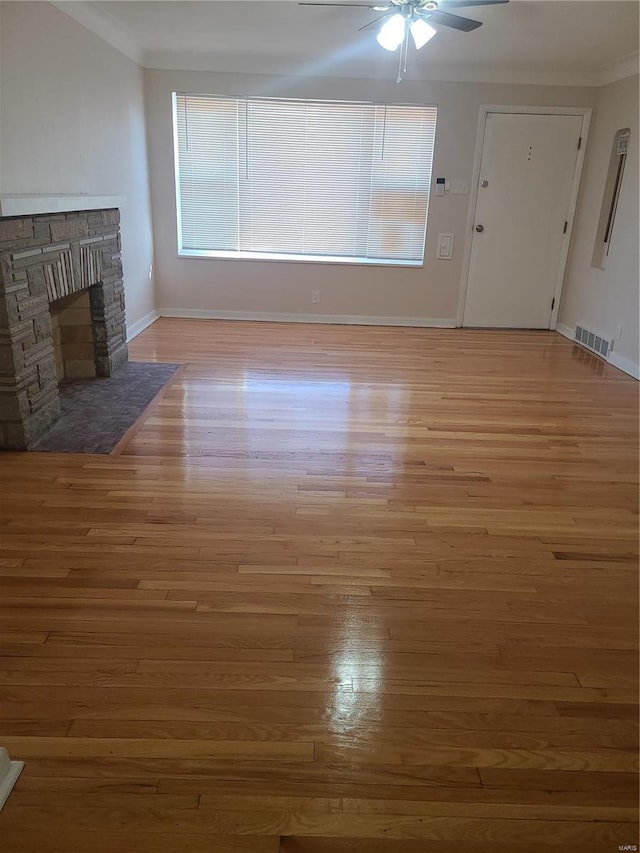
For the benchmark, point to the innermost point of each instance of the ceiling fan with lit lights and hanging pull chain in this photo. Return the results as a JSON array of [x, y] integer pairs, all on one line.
[[402, 17]]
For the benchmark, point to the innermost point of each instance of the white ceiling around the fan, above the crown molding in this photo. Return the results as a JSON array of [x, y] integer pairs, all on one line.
[[525, 39]]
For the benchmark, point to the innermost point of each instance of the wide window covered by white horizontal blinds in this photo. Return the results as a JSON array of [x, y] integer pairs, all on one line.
[[302, 180]]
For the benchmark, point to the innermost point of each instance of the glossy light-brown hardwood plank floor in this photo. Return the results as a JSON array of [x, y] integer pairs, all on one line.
[[366, 589]]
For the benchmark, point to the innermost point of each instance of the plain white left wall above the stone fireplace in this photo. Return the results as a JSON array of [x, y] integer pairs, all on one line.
[[73, 122]]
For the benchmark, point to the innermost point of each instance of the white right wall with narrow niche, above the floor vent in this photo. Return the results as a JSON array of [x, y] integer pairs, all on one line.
[[599, 299]]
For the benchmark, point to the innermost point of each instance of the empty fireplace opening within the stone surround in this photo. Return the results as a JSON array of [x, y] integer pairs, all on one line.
[[72, 333]]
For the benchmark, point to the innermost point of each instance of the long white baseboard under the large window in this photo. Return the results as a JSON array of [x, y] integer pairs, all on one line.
[[339, 319]]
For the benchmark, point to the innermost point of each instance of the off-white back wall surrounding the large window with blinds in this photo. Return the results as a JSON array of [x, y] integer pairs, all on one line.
[[189, 285]]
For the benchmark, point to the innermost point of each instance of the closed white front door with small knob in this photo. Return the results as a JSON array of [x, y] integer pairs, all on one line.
[[524, 195]]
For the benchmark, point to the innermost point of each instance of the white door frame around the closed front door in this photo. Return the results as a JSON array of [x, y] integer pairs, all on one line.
[[485, 109]]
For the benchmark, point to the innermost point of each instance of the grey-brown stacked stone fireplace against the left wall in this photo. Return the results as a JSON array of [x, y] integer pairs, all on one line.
[[62, 313]]
